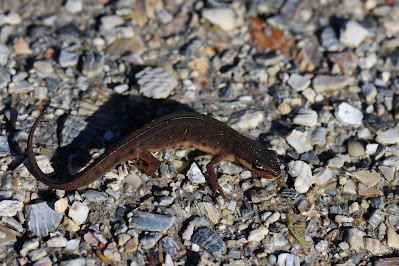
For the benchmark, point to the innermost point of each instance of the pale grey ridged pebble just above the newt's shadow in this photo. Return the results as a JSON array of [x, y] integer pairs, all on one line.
[[156, 83]]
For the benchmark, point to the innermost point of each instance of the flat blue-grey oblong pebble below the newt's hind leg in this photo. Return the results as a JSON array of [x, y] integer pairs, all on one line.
[[151, 222]]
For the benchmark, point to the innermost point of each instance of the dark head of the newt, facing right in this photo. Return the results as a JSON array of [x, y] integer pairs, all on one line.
[[258, 159]]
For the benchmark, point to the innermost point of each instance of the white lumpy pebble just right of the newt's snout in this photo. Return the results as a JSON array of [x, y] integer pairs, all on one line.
[[303, 175]]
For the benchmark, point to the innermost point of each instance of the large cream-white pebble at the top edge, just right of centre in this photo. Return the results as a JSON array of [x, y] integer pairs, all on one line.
[[225, 18]]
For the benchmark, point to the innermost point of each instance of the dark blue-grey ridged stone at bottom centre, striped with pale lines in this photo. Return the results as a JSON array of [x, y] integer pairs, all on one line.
[[209, 240]]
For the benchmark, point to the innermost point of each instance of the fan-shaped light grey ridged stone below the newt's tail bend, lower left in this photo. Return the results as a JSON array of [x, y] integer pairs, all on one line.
[[42, 219]]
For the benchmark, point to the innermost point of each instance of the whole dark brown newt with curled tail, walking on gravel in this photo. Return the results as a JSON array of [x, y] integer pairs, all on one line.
[[181, 130]]
